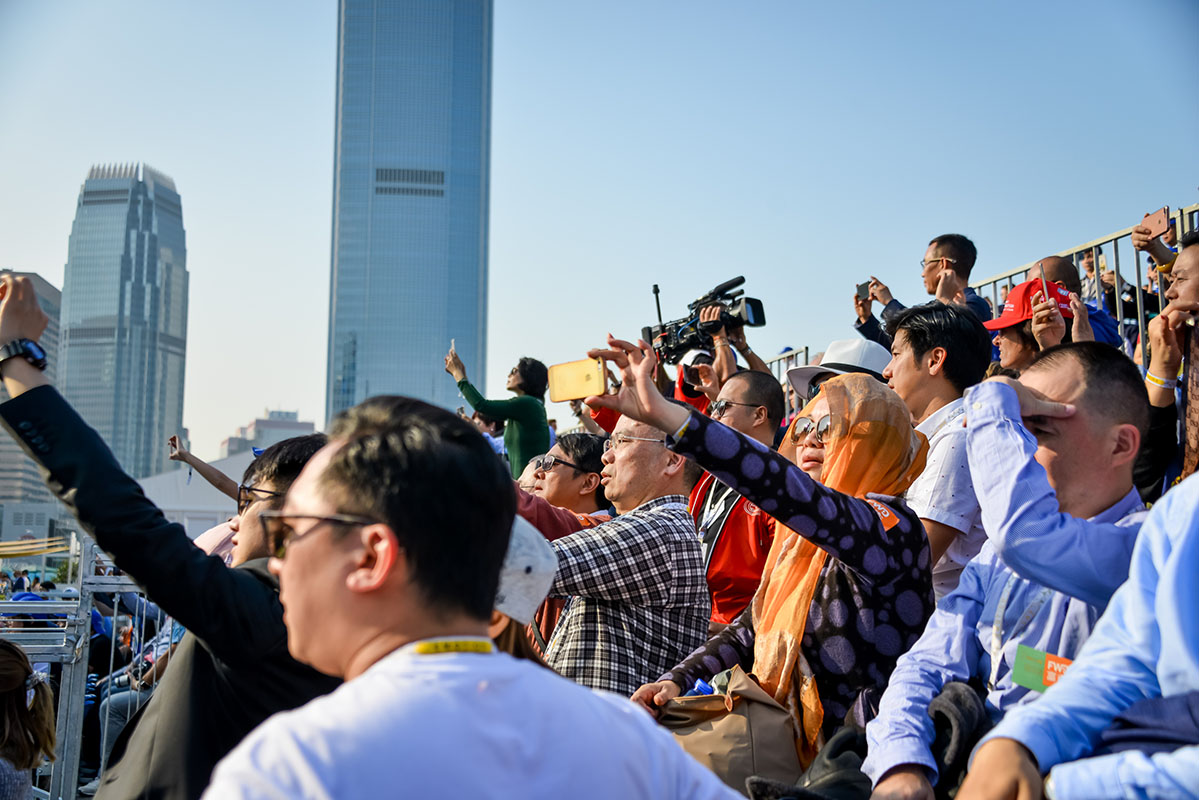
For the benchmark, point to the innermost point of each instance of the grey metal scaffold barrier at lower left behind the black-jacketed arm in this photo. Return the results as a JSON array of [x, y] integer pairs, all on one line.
[[63, 636]]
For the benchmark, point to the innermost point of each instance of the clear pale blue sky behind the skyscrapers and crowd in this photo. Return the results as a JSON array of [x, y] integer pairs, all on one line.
[[804, 146]]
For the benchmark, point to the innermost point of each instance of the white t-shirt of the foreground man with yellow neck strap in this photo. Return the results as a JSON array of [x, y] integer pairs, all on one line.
[[463, 725]]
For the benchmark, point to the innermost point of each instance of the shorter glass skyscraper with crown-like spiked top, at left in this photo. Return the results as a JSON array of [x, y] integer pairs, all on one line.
[[125, 314]]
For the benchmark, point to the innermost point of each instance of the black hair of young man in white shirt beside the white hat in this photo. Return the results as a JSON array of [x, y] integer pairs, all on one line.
[[941, 326]]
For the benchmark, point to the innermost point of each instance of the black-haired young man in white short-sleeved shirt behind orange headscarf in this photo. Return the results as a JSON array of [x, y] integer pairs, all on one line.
[[937, 353]]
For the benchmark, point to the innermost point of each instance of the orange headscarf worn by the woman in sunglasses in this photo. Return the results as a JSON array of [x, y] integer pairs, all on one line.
[[872, 448]]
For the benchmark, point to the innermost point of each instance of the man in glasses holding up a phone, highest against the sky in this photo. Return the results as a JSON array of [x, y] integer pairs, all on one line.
[[945, 272]]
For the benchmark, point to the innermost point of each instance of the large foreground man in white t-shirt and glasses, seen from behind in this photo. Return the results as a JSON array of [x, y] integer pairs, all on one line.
[[389, 552]]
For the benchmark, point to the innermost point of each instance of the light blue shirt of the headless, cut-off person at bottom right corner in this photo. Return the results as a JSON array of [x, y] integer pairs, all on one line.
[[1147, 645]]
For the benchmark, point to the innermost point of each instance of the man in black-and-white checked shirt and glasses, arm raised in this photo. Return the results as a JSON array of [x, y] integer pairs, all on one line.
[[638, 596]]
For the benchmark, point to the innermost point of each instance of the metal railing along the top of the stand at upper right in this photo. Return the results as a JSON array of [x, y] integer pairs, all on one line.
[[1186, 221]]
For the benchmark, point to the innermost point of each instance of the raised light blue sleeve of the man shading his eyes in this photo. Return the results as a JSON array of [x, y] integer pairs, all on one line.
[[1021, 512]]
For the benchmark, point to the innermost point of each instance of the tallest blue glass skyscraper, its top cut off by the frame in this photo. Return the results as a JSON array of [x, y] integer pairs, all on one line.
[[411, 190]]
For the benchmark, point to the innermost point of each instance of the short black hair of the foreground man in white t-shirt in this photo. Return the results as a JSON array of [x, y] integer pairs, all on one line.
[[433, 479]]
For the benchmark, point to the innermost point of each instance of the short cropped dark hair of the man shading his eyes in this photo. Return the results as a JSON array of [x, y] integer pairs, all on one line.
[[1114, 387]]
